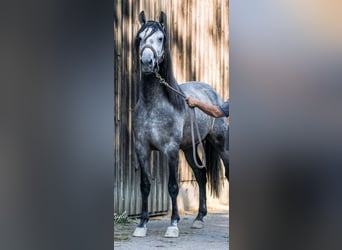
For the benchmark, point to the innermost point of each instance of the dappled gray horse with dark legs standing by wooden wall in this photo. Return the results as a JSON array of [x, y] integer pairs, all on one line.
[[161, 122]]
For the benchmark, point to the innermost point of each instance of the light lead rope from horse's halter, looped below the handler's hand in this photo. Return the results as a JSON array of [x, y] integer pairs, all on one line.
[[192, 121]]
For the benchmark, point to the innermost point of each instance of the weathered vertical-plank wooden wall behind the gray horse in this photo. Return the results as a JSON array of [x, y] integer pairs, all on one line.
[[199, 33]]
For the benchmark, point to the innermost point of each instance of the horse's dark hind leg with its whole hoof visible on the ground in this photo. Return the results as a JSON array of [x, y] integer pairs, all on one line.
[[201, 178]]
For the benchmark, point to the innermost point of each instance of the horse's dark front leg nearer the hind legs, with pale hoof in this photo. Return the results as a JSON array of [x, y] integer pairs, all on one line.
[[172, 230]]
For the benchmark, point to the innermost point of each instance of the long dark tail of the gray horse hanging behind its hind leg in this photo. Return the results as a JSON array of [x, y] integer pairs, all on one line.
[[214, 169]]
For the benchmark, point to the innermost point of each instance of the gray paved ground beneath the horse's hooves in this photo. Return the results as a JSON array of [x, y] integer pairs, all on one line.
[[213, 236]]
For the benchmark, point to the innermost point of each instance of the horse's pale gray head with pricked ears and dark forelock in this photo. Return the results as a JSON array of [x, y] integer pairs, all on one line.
[[150, 43]]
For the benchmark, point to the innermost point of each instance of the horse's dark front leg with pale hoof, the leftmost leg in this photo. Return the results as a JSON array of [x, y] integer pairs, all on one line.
[[143, 155]]
